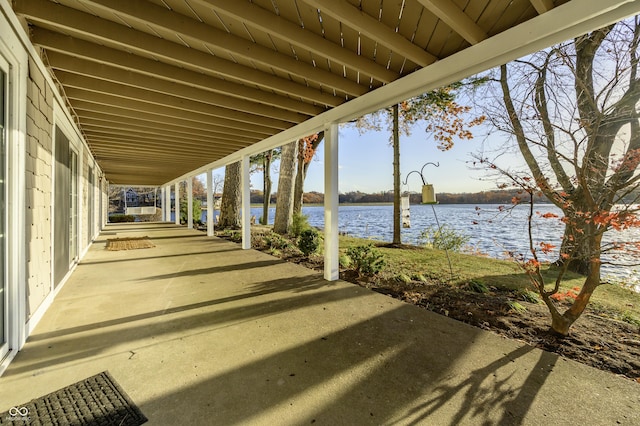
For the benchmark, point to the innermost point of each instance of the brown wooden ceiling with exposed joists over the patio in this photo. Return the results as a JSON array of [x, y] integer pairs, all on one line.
[[162, 87]]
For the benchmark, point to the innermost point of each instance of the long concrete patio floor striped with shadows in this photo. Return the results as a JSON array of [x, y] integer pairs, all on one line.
[[200, 332]]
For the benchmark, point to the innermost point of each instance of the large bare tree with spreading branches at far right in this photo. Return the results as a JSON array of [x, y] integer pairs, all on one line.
[[572, 111]]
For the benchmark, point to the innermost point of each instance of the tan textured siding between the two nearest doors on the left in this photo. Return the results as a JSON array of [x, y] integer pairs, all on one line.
[[38, 196]]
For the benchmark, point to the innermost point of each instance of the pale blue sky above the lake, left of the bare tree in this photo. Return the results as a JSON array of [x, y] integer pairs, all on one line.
[[366, 164]]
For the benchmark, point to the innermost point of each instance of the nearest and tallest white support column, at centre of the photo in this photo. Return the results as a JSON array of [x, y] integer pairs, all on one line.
[[331, 244]]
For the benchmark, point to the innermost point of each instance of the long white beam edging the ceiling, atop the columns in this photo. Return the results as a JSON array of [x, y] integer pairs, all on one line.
[[562, 23]]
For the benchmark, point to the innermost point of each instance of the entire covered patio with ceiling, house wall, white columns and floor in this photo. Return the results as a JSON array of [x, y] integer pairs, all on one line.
[[198, 330]]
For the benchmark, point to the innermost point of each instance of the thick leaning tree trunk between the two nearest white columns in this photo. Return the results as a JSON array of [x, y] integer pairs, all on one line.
[[284, 200]]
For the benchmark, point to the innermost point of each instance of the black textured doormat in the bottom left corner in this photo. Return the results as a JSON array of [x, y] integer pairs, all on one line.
[[98, 401]]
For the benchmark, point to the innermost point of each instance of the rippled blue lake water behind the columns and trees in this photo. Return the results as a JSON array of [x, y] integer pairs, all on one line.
[[490, 231]]
